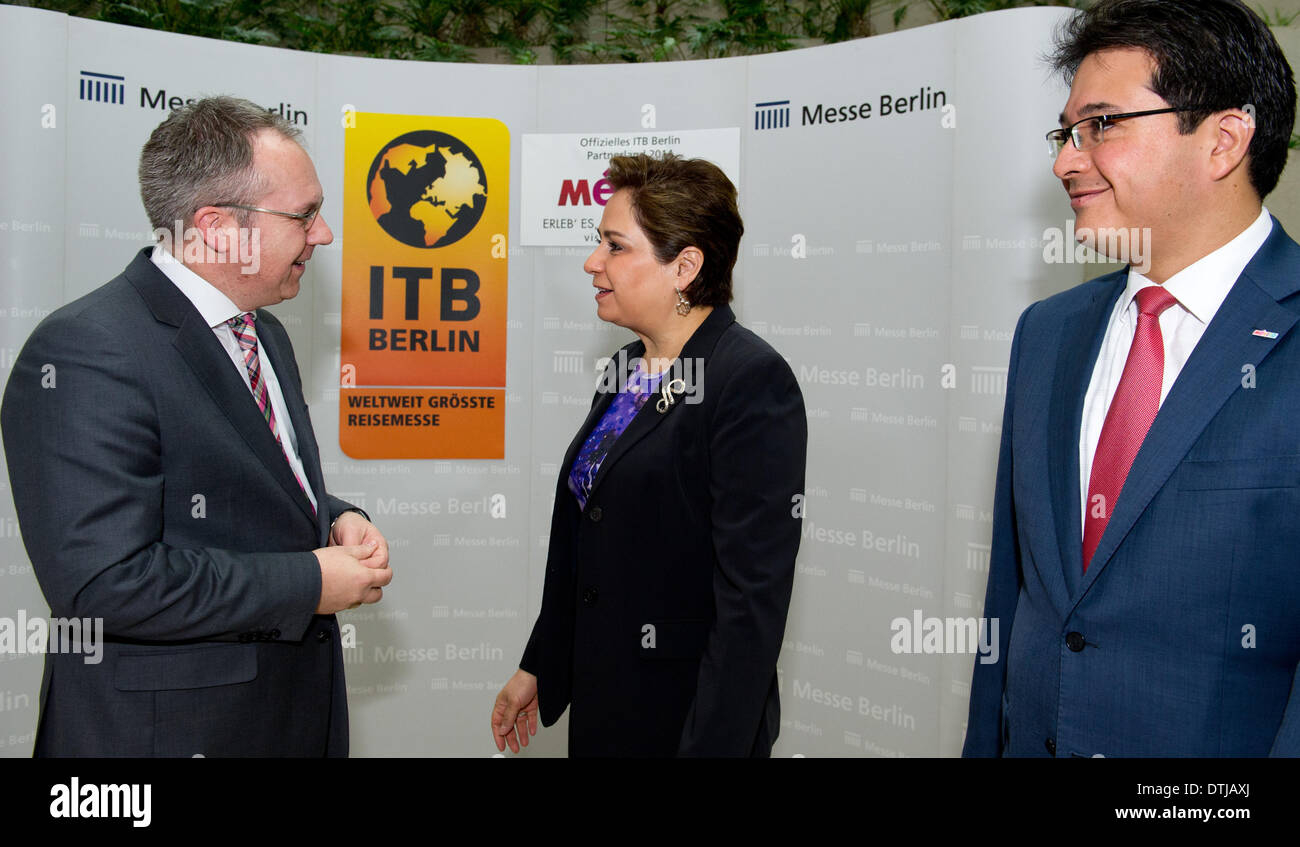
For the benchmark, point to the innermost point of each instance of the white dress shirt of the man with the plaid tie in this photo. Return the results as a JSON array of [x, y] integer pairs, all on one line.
[[216, 310]]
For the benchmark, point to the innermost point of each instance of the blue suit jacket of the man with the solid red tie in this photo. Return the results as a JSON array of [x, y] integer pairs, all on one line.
[[1184, 636]]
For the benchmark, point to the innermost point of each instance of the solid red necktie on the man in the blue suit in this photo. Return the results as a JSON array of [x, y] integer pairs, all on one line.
[[1129, 419]]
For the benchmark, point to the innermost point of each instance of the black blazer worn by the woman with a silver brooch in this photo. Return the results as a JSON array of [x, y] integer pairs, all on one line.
[[666, 598]]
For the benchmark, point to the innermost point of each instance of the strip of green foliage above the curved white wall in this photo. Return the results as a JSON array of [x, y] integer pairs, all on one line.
[[528, 32]]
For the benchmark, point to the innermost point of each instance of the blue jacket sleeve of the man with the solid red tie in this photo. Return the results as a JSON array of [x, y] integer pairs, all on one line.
[[985, 720]]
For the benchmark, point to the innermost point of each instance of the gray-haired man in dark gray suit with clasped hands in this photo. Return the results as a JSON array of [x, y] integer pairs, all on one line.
[[167, 477]]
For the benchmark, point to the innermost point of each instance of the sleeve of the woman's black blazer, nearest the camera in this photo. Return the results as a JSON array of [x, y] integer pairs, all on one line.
[[759, 446]]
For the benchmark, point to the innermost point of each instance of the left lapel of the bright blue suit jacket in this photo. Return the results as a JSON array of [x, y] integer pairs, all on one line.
[[1082, 336]]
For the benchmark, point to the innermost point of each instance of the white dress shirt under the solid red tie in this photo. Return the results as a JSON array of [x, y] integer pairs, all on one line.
[[1201, 290]]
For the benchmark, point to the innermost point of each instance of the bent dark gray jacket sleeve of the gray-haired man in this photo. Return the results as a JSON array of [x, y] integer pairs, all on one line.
[[88, 470]]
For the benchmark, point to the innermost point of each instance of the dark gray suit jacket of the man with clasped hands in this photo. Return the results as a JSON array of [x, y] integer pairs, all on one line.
[[153, 494]]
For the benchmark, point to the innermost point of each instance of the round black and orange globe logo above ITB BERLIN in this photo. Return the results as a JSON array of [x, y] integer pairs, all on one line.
[[427, 189]]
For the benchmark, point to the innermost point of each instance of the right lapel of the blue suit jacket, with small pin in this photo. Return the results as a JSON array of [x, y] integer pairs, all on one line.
[[1211, 376]]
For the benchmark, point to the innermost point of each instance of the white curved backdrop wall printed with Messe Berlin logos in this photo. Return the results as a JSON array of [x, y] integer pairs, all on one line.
[[887, 259]]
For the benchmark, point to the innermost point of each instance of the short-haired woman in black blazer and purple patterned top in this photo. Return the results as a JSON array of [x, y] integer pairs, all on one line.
[[679, 505]]
